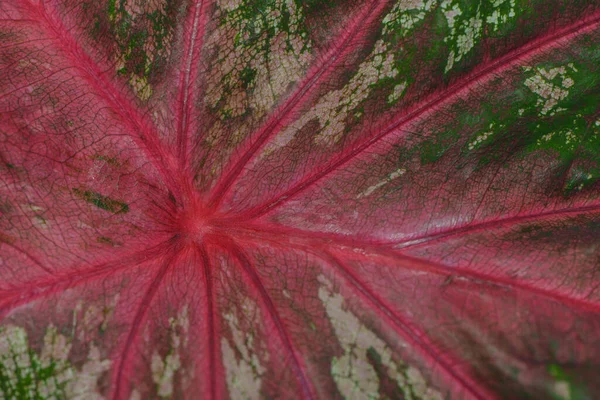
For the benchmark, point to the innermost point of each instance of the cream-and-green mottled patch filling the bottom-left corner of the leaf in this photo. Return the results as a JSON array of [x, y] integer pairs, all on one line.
[[23, 366]]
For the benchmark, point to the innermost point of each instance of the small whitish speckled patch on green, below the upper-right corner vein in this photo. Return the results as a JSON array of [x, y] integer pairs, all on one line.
[[551, 86]]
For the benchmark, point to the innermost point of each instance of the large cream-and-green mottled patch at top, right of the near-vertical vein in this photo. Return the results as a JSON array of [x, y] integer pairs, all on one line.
[[277, 60]]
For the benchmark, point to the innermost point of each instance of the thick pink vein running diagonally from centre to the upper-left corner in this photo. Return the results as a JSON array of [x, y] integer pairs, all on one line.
[[140, 128]]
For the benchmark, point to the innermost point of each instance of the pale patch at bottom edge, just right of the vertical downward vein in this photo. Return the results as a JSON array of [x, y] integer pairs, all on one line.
[[242, 366]]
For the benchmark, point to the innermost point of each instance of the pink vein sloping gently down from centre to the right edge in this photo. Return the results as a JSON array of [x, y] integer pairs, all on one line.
[[306, 241]]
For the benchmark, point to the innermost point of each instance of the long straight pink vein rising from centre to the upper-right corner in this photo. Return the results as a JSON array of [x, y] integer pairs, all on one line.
[[436, 100]]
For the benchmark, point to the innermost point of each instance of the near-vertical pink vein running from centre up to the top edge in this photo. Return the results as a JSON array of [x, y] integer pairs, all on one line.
[[187, 96]]
